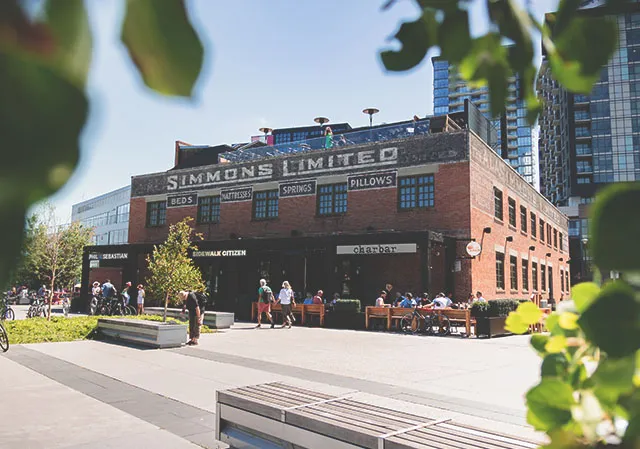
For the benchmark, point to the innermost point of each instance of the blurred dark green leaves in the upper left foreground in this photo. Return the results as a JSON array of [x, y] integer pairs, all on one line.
[[44, 63]]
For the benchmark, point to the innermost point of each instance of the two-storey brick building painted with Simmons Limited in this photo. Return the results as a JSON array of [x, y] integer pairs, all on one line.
[[352, 218]]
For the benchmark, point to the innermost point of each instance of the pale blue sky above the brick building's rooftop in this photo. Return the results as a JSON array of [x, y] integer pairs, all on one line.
[[268, 63]]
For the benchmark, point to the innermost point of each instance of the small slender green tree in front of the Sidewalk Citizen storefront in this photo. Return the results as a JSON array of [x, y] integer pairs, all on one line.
[[172, 270]]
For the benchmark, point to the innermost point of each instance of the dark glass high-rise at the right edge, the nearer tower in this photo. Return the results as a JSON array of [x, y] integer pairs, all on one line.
[[588, 141]]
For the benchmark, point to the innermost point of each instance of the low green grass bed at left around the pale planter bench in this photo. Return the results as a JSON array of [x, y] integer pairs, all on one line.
[[39, 330]]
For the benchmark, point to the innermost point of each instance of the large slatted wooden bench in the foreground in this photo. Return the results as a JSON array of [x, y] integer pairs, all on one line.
[[281, 415]]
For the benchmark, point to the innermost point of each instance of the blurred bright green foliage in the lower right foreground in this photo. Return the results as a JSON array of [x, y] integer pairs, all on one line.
[[589, 391]]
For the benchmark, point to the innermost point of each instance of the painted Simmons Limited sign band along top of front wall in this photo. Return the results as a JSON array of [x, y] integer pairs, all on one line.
[[418, 151]]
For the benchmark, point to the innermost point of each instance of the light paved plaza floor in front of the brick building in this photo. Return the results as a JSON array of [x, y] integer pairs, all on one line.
[[98, 394]]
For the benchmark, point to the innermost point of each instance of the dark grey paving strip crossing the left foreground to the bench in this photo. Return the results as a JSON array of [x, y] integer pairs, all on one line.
[[39, 362]]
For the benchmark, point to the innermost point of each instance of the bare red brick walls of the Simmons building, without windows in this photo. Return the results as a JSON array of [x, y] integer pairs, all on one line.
[[463, 207]]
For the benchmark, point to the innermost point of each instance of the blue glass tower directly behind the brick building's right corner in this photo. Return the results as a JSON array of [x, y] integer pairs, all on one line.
[[515, 143]]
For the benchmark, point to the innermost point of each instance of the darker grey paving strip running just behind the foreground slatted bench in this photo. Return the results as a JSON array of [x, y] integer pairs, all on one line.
[[447, 403]]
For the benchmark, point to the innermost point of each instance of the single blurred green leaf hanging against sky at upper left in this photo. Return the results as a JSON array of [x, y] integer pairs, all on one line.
[[163, 45]]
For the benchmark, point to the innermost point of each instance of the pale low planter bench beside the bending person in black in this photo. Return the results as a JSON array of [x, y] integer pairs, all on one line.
[[147, 333]]
